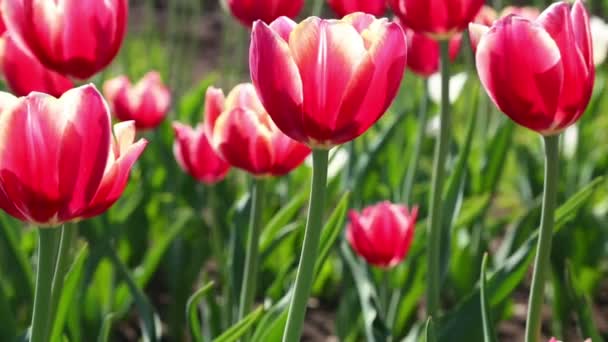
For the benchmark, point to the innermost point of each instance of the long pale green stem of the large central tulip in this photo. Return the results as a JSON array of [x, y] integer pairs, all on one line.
[[310, 247]]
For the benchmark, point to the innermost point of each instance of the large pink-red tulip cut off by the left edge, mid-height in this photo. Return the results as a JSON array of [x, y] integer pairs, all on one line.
[[58, 159]]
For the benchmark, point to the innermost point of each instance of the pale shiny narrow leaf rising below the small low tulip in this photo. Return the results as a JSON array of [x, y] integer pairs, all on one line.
[[375, 327]]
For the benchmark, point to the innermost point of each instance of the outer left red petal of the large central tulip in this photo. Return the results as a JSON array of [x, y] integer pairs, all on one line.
[[275, 75]]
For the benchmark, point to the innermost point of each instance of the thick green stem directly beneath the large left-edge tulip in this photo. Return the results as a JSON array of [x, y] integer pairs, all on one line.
[[47, 256]]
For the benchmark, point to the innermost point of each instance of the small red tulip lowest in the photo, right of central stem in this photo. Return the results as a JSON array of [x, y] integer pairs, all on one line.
[[382, 234]]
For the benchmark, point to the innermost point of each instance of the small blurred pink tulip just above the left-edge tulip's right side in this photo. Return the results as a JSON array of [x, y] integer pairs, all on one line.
[[147, 102]]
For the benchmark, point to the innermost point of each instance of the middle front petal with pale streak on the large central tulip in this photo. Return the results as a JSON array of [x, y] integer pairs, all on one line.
[[327, 54]]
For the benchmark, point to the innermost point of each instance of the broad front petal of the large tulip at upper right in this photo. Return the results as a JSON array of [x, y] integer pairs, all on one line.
[[524, 83]]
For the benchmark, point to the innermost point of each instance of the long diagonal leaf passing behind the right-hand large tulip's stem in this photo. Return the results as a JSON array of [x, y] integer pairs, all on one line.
[[462, 323]]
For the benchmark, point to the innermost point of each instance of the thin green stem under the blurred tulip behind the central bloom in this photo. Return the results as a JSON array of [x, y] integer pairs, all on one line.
[[251, 258]]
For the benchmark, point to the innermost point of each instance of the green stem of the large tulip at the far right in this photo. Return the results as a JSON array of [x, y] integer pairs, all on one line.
[[543, 249]]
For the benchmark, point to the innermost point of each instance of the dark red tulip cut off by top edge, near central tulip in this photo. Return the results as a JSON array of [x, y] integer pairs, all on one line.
[[248, 11]]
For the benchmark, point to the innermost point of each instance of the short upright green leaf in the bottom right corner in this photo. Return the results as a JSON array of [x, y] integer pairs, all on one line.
[[583, 306]]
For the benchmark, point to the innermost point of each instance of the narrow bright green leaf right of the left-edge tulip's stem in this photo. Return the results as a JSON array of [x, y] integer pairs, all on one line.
[[73, 278]]
